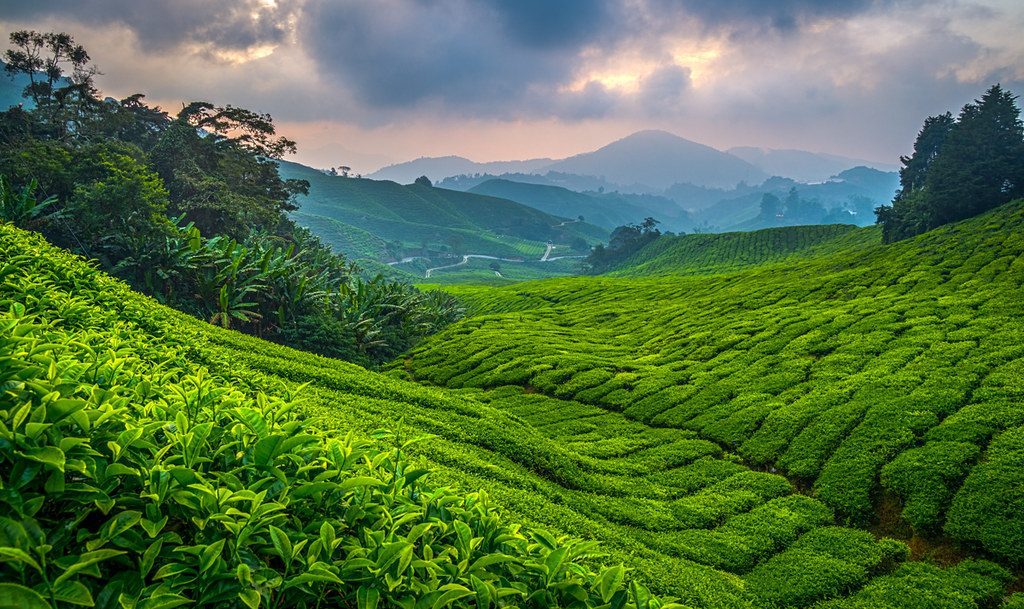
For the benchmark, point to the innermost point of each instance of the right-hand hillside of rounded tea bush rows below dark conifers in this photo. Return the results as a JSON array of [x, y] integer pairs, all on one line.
[[887, 382]]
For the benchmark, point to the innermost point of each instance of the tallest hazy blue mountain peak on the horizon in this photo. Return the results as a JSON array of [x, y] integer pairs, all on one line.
[[659, 160]]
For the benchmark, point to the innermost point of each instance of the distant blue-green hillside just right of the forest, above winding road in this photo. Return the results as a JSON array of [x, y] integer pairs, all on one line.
[[383, 221]]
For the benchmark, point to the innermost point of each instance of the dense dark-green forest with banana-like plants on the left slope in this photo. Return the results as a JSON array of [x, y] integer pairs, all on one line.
[[190, 209]]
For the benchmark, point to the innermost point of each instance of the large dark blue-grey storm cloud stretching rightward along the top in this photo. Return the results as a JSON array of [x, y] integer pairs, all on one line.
[[507, 59]]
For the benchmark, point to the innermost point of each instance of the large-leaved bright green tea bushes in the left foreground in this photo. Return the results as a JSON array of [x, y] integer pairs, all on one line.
[[135, 478]]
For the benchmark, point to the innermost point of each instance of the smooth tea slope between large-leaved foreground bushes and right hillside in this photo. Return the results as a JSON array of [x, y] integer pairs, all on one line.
[[677, 508]]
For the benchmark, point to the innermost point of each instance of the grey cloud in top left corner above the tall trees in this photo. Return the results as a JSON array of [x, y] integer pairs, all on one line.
[[230, 25]]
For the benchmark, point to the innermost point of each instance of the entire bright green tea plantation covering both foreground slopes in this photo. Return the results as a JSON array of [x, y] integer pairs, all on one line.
[[152, 461]]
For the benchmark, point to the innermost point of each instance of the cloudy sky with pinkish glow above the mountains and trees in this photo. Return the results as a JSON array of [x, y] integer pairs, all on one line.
[[372, 82]]
